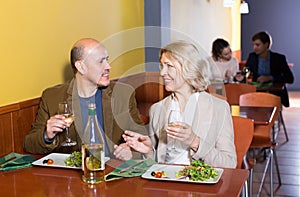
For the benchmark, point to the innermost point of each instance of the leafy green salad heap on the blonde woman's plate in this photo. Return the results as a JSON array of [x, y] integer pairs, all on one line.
[[197, 171]]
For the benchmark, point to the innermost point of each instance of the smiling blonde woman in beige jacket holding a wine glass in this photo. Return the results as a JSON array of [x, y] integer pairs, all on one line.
[[205, 130]]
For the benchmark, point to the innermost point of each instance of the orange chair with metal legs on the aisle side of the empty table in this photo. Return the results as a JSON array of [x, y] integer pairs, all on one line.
[[262, 133]]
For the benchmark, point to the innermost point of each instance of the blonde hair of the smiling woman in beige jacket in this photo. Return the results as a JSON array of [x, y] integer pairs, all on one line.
[[194, 68]]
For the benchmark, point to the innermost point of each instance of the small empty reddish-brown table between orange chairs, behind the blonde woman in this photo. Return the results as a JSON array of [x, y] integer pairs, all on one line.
[[260, 115]]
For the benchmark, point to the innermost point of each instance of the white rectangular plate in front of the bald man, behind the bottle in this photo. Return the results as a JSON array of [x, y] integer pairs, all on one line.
[[58, 161]]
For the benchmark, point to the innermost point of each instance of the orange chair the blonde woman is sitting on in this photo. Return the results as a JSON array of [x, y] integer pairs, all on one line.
[[243, 134]]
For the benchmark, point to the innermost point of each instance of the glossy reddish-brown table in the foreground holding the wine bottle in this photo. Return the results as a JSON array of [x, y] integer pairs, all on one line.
[[47, 181]]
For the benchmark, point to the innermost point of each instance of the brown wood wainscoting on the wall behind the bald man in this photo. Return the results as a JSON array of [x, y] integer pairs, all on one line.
[[16, 119]]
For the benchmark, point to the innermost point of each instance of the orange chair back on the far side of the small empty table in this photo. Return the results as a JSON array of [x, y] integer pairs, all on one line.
[[234, 90]]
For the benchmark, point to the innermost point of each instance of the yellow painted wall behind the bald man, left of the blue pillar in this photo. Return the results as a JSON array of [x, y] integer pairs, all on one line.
[[36, 37]]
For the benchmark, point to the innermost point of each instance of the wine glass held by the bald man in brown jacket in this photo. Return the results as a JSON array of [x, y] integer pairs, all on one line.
[[65, 110]]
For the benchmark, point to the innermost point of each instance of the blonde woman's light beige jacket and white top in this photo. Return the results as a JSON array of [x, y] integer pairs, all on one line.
[[210, 119]]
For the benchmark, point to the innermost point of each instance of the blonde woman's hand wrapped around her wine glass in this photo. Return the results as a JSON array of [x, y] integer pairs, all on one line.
[[182, 132]]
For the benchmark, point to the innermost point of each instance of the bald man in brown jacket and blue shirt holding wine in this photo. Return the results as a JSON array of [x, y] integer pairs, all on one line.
[[115, 102]]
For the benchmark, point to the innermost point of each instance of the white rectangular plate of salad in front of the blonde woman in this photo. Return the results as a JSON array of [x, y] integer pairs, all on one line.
[[171, 170]]
